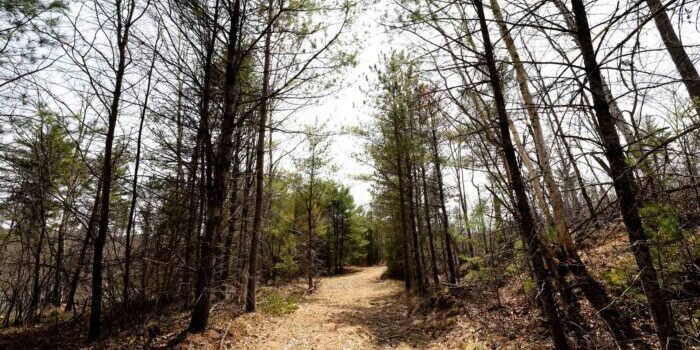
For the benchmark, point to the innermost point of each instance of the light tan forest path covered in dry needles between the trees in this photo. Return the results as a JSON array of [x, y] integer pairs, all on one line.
[[357, 310]]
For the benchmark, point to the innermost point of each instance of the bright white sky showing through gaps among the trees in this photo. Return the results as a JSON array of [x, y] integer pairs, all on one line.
[[347, 107]]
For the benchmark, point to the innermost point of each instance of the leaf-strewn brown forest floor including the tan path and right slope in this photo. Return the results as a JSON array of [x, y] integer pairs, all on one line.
[[356, 310]]
